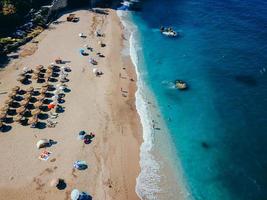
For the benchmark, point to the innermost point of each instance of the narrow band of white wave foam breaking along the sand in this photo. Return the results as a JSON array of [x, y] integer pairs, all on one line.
[[147, 183]]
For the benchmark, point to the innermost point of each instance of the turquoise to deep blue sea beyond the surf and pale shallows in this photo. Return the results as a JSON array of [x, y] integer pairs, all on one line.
[[221, 54]]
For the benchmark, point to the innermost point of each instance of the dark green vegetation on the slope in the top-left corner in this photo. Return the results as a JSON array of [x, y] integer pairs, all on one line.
[[14, 13]]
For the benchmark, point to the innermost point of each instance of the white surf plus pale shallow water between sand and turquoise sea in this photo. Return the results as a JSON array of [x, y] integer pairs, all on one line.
[[156, 180]]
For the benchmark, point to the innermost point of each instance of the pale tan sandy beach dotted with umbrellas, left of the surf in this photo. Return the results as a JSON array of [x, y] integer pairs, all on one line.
[[103, 105]]
